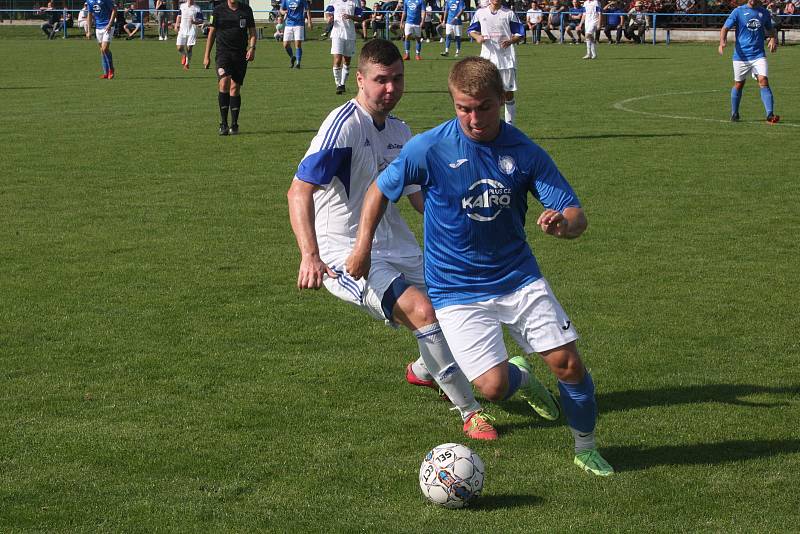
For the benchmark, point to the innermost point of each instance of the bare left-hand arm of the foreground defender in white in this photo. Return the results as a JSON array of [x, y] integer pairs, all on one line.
[[301, 215]]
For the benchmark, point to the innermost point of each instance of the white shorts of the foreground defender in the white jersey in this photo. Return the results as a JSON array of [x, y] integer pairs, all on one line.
[[368, 294]]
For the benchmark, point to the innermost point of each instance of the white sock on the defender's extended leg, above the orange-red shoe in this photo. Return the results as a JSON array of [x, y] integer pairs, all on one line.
[[440, 363]]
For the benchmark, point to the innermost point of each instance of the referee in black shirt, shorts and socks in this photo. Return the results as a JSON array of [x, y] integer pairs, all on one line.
[[234, 29]]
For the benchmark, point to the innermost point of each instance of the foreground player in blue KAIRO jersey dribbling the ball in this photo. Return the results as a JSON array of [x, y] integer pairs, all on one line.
[[476, 173]]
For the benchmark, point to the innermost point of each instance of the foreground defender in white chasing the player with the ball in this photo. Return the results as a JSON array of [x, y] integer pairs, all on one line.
[[356, 142]]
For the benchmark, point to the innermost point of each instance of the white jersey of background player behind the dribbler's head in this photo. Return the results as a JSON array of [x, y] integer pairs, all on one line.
[[497, 27]]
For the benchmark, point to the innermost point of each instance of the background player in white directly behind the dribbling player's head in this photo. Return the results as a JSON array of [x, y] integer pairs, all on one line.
[[498, 29]]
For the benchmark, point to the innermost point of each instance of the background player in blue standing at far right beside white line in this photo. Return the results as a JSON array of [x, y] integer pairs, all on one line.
[[753, 24]]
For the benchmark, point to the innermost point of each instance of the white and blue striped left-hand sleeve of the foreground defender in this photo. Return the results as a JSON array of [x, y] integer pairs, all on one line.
[[331, 152]]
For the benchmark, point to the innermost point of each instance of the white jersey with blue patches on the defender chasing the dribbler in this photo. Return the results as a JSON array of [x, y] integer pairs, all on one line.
[[344, 158]]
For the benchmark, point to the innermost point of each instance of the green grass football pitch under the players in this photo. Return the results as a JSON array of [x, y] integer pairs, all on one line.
[[160, 372]]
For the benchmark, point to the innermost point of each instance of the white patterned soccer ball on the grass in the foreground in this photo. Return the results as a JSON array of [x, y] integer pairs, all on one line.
[[451, 475]]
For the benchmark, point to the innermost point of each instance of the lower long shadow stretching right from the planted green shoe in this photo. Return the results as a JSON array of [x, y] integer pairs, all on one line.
[[639, 458]]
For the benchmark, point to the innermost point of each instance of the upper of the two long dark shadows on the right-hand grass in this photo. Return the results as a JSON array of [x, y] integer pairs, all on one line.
[[721, 393]]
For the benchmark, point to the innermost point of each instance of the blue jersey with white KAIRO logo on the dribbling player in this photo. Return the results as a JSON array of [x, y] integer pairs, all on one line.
[[476, 198]]
